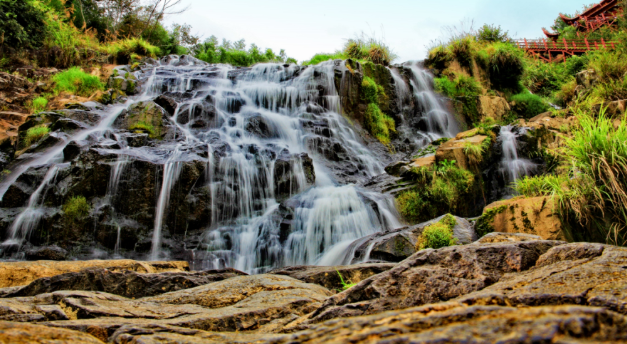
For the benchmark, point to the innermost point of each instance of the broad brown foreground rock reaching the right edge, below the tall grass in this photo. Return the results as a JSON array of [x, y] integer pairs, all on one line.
[[581, 274]]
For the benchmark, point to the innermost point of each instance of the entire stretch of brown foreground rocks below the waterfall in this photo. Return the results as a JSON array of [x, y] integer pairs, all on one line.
[[512, 288]]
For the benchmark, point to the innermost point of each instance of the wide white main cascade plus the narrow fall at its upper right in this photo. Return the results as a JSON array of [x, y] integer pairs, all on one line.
[[279, 160]]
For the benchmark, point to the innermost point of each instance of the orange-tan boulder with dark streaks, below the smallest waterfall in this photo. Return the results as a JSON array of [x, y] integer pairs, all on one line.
[[536, 216]]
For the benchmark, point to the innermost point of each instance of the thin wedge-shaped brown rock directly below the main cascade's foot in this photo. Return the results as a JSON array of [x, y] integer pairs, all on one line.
[[329, 277]]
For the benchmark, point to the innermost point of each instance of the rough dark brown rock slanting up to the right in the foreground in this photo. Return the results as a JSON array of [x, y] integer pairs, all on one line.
[[431, 276]]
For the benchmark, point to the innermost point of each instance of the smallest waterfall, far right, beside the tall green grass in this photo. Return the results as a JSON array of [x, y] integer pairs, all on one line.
[[512, 166]]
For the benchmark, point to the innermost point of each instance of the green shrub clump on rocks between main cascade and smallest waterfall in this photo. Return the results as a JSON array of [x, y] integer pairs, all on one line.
[[440, 189]]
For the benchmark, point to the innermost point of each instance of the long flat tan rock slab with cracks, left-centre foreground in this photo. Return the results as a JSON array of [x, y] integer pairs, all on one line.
[[242, 303]]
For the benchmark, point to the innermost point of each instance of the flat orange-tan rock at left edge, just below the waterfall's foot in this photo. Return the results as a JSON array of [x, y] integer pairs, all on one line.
[[22, 273]]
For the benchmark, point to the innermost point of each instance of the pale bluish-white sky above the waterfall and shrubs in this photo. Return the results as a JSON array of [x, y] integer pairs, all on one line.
[[304, 28]]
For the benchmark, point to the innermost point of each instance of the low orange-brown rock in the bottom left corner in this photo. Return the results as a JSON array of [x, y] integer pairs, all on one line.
[[20, 333]]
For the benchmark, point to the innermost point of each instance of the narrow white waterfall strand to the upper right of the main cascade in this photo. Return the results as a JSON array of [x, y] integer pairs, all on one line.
[[439, 122]]
